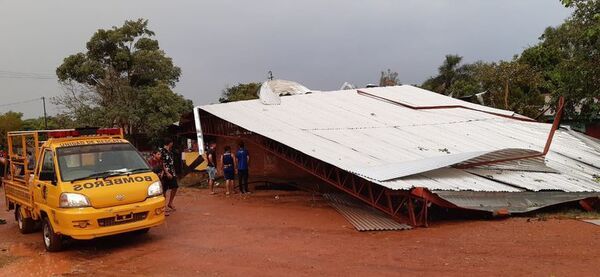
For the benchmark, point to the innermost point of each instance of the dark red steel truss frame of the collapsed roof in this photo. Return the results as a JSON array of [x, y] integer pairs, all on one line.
[[405, 206]]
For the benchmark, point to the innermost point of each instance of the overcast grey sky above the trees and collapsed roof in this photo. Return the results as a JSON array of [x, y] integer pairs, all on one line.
[[318, 43]]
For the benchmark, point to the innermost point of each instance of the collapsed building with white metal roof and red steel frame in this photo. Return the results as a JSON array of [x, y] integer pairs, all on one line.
[[402, 149]]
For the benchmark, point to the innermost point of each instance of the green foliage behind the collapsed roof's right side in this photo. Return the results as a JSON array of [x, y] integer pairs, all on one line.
[[566, 62]]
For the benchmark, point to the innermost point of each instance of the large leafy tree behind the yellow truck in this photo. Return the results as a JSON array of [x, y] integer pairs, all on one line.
[[123, 79]]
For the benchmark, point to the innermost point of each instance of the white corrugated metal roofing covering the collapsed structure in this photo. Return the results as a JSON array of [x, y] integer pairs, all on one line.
[[379, 140]]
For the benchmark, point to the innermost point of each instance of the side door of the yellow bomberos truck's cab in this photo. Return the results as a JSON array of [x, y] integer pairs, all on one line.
[[46, 180]]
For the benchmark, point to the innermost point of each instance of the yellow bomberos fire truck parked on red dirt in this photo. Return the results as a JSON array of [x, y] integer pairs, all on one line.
[[80, 183]]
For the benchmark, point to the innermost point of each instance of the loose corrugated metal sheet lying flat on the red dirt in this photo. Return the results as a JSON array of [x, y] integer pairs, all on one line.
[[362, 217]]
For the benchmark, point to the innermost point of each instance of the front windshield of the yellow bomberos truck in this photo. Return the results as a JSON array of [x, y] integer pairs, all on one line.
[[99, 160]]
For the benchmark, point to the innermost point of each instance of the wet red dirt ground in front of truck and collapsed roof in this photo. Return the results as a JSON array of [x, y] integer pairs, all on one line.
[[294, 236]]
